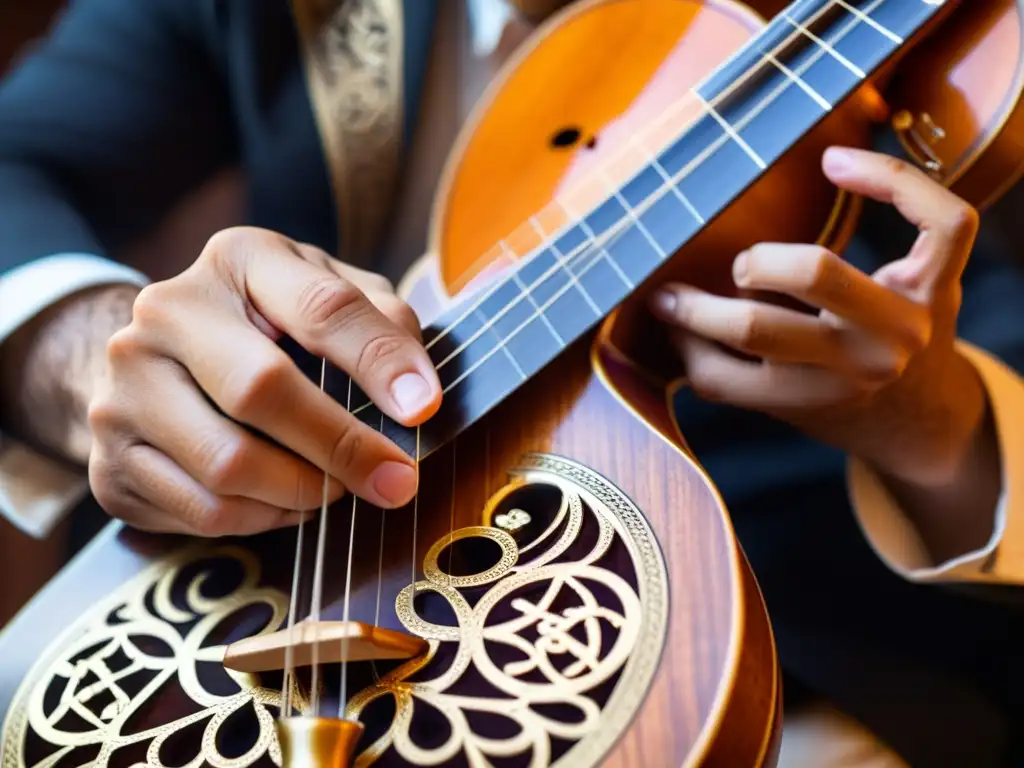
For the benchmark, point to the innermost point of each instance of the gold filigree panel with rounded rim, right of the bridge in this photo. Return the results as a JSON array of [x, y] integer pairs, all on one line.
[[556, 668]]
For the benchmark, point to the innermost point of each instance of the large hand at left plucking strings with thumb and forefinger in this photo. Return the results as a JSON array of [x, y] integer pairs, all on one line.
[[197, 383]]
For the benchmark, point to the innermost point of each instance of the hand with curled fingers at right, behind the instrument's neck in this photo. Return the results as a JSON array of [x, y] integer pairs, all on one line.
[[873, 369]]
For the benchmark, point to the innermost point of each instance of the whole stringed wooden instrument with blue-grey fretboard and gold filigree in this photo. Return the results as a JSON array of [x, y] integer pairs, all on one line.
[[567, 589]]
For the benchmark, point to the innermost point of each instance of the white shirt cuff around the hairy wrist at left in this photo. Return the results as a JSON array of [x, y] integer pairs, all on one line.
[[36, 492]]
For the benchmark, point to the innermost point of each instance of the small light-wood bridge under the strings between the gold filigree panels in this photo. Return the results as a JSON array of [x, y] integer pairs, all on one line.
[[334, 643]]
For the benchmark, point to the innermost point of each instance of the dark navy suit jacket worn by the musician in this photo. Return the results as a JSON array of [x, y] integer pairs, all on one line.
[[133, 104]]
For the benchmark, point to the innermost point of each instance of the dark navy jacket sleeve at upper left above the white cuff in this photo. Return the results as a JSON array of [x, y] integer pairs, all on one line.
[[115, 116]]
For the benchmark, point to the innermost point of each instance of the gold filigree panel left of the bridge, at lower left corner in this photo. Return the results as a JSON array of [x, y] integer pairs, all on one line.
[[78, 679]]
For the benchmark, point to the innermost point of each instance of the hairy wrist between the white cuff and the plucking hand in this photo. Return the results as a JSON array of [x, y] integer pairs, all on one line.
[[51, 366]]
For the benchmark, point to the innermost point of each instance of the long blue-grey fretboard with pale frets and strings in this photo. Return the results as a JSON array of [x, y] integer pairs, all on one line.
[[808, 61]]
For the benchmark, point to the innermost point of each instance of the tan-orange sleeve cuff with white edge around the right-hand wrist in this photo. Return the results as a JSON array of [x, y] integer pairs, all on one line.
[[898, 542]]
